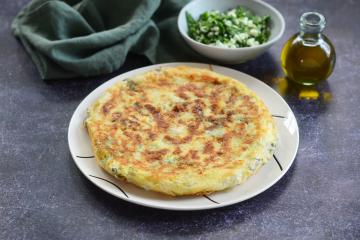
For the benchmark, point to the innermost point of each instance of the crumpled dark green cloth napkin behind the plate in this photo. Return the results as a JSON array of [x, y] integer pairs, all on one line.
[[72, 38]]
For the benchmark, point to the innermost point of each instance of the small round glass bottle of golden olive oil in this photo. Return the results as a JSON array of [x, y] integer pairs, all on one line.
[[308, 57]]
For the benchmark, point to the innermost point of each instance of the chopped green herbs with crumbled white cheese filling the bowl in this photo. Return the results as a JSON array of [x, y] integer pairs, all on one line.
[[236, 28]]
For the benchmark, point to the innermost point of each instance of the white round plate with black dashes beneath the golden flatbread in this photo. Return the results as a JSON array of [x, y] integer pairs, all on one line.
[[268, 175]]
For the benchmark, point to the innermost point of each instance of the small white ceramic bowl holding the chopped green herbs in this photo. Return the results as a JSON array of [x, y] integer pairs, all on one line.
[[231, 55]]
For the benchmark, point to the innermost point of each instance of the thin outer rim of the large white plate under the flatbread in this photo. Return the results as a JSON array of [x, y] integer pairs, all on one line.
[[187, 208]]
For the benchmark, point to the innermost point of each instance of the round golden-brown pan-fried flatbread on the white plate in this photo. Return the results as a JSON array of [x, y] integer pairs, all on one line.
[[181, 131]]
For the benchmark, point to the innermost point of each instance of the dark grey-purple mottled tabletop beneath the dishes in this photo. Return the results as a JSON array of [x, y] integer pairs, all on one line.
[[44, 196]]
